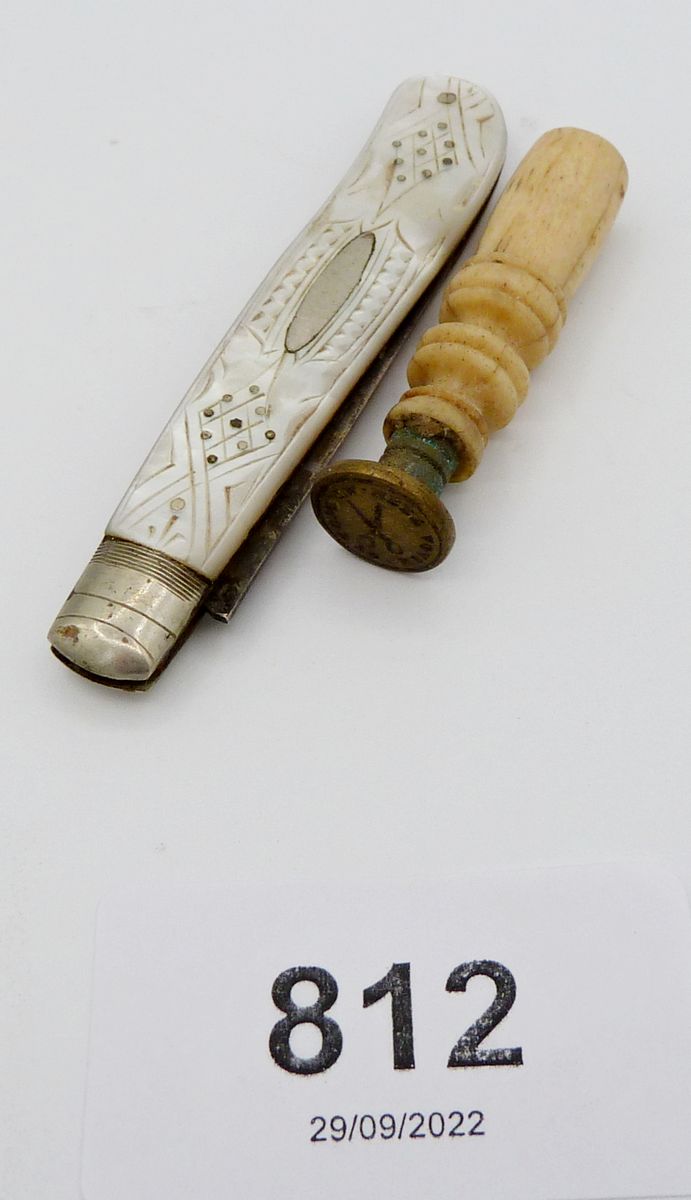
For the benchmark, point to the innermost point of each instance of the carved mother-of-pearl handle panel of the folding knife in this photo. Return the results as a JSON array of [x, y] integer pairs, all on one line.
[[316, 323]]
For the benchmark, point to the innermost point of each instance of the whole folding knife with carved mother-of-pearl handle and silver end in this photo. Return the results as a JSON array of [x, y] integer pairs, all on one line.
[[279, 395]]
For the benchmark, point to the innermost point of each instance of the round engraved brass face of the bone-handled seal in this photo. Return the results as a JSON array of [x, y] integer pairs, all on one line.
[[383, 515]]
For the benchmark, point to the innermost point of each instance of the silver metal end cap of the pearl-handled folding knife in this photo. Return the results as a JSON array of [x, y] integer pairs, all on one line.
[[128, 613]]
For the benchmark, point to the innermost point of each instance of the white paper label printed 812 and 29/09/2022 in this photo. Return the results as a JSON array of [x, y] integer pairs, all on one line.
[[512, 1035]]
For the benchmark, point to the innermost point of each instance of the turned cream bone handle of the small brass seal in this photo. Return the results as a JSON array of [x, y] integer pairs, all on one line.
[[503, 311]]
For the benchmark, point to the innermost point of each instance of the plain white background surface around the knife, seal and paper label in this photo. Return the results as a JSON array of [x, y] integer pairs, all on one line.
[[528, 703]]
